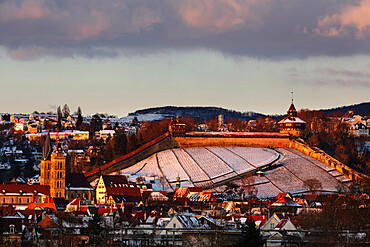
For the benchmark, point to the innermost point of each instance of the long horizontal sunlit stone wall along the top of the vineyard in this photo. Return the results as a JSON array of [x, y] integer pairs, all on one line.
[[186, 142]]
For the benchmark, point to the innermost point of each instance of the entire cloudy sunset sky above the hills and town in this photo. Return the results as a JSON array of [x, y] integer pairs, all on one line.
[[125, 55]]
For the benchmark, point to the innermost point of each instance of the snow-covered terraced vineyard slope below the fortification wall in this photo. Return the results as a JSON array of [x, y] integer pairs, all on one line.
[[286, 170]]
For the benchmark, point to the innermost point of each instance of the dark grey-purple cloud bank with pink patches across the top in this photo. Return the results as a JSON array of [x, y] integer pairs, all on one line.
[[260, 28]]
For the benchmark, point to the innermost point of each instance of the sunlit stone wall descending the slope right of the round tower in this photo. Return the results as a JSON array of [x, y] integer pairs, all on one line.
[[327, 159]]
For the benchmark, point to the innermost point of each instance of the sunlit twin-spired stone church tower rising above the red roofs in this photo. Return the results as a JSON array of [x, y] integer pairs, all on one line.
[[53, 169]]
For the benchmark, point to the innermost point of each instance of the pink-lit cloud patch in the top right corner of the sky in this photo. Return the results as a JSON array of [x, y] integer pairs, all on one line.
[[351, 19]]
